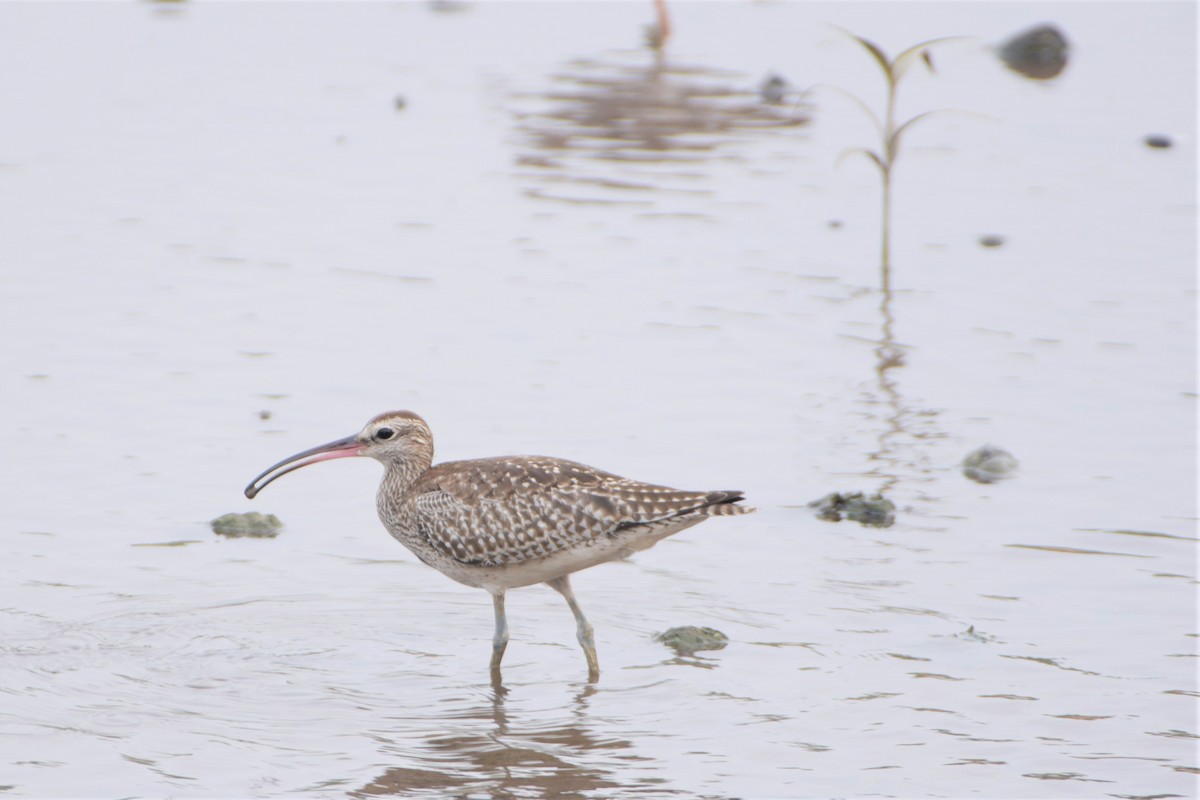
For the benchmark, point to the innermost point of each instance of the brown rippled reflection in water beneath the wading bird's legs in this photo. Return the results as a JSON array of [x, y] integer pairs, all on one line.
[[493, 756]]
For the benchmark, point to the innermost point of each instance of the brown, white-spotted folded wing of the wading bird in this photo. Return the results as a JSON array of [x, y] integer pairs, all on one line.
[[509, 510]]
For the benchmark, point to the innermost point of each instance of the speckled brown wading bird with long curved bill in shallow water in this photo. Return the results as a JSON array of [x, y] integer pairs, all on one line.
[[513, 521]]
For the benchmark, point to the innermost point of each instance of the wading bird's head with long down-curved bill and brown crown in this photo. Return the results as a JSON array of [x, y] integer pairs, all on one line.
[[398, 440]]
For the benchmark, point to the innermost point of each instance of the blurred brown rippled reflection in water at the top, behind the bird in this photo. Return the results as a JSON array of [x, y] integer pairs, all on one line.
[[614, 124]]
